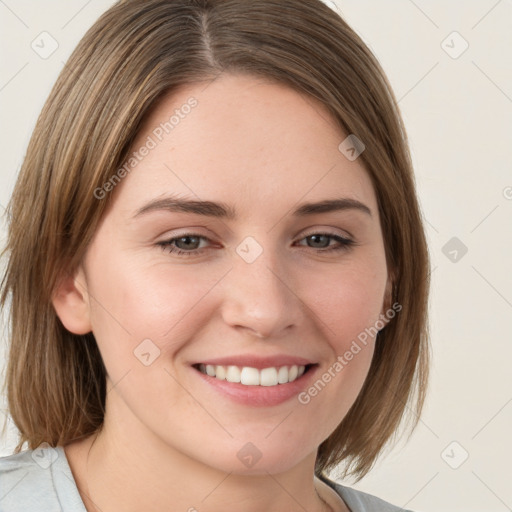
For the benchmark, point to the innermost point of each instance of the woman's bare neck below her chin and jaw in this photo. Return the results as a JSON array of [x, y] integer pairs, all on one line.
[[117, 475]]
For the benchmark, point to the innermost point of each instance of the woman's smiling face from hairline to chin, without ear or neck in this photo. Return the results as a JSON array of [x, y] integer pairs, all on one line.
[[226, 246]]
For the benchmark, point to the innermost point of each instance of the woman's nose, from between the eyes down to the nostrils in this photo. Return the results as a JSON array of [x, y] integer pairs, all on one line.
[[261, 297]]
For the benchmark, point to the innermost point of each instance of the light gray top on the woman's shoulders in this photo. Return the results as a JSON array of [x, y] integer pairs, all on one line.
[[41, 480]]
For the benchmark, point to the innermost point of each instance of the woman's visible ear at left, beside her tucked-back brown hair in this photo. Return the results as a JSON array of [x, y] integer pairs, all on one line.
[[71, 302]]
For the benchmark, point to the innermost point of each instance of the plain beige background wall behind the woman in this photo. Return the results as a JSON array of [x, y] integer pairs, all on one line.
[[458, 111]]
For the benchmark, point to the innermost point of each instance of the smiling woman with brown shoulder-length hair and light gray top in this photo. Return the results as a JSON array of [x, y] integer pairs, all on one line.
[[219, 289]]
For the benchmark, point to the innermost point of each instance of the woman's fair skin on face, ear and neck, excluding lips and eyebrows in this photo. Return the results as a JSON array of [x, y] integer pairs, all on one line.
[[170, 439]]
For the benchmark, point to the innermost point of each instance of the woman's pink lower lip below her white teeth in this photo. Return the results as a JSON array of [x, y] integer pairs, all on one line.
[[259, 396]]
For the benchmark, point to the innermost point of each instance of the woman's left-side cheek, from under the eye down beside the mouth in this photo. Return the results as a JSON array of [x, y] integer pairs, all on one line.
[[142, 317]]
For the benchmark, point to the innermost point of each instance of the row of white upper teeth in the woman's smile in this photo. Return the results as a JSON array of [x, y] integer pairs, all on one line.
[[252, 376]]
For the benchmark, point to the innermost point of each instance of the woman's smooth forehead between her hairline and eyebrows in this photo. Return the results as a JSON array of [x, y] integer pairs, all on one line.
[[246, 141]]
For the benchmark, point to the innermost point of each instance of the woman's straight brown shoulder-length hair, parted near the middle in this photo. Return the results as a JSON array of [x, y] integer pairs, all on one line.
[[136, 53]]
